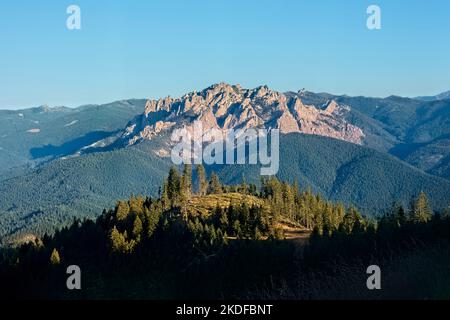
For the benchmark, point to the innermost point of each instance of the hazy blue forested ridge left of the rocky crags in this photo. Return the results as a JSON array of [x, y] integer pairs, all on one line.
[[32, 136]]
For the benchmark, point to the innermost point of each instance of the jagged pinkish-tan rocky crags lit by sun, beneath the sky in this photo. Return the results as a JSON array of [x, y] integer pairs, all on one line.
[[223, 106]]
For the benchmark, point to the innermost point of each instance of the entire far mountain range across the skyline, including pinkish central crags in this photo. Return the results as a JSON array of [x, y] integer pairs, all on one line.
[[414, 130]]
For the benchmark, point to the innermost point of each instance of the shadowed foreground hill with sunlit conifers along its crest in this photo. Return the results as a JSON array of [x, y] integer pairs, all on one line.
[[159, 247]]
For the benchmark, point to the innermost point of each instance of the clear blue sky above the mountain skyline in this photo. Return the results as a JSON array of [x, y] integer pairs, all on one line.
[[149, 49]]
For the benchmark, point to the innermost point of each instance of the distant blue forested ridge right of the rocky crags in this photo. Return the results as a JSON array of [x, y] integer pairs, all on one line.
[[413, 130]]
